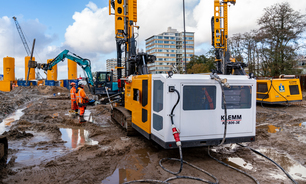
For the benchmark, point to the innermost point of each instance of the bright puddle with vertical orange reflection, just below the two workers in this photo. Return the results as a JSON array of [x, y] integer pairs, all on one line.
[[76, 137]]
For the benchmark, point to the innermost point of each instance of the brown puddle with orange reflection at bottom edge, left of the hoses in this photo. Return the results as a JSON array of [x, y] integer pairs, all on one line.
[[136, 162]]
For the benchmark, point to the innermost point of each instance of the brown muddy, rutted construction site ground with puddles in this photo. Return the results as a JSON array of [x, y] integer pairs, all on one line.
[[46, 145]]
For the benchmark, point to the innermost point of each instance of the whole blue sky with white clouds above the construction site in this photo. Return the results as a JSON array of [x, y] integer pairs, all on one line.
[[85, 28]]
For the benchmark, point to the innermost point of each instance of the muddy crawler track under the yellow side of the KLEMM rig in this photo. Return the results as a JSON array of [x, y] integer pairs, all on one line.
[[122, 116]]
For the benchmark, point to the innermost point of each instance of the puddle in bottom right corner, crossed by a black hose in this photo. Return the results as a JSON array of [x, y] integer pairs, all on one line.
[[294, 168]]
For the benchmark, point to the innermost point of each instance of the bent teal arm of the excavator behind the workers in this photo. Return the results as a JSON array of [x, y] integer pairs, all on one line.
[[82, 62]]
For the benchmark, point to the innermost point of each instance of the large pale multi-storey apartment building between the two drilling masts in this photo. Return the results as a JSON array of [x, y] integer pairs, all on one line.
[[168, 47]]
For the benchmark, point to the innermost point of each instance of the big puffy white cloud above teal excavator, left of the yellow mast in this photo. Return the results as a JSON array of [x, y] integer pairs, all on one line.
[[92, 31]]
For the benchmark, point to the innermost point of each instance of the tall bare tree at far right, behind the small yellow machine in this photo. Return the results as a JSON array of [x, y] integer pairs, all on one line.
[[280, 29]]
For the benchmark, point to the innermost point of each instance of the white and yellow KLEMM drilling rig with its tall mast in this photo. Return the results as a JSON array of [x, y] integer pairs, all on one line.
[[178, 110]]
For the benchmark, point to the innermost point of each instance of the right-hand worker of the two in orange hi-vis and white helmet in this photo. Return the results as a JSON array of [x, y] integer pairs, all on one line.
[[82, 99]]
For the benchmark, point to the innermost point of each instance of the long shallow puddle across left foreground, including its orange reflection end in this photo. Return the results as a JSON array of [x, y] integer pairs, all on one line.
[[37, 149]]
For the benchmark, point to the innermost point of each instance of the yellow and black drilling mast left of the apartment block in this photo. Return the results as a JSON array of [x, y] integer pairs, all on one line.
[[125, 12]]
